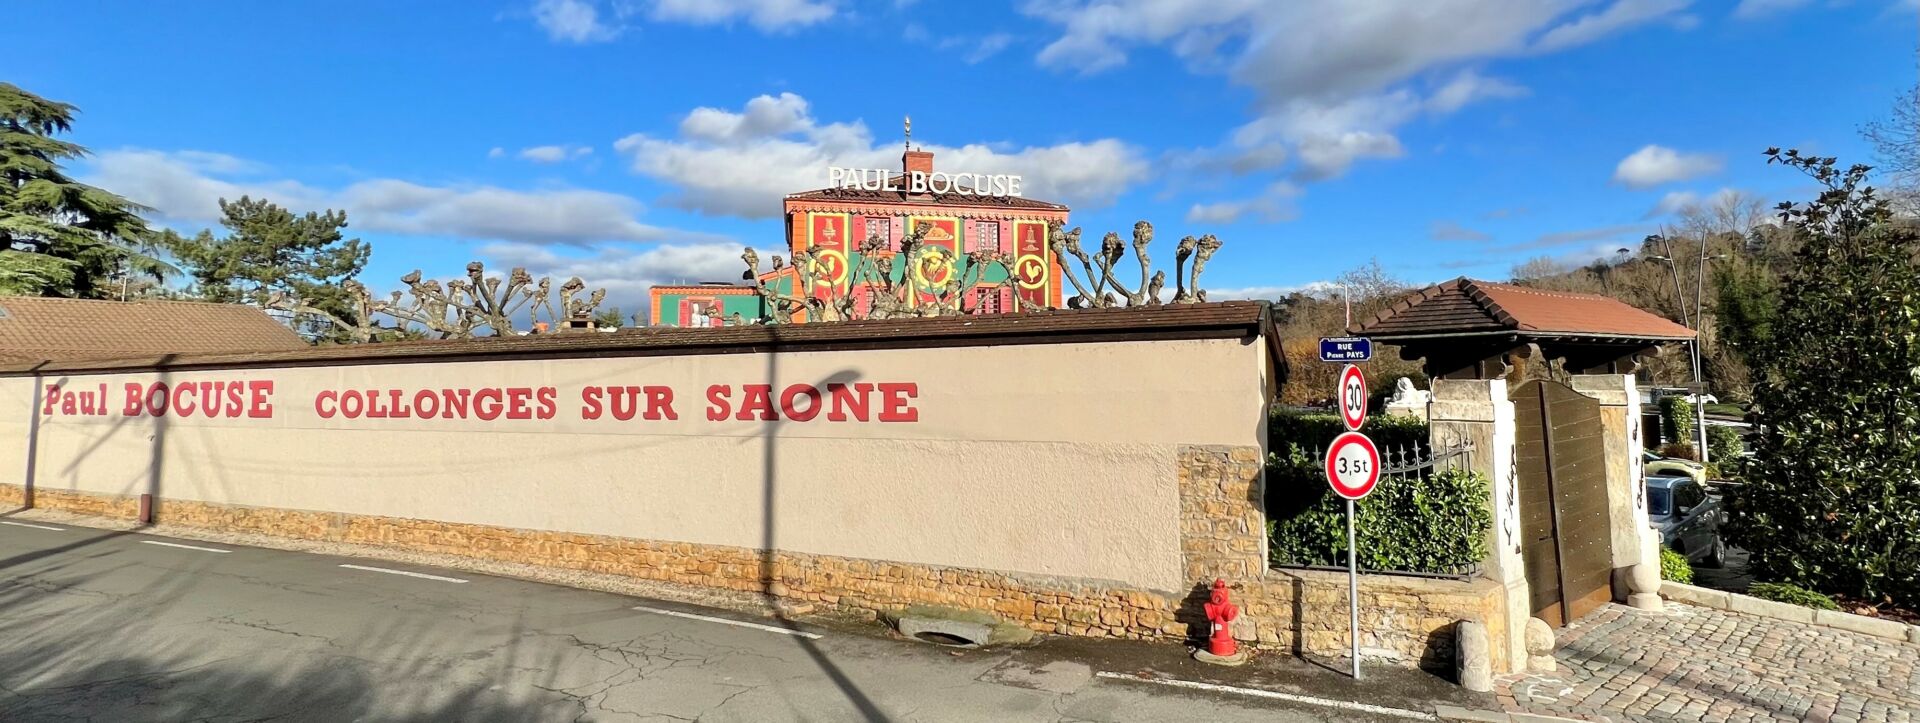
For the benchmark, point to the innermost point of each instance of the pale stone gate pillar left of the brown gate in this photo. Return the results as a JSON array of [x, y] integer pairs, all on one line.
[[1481, 413]]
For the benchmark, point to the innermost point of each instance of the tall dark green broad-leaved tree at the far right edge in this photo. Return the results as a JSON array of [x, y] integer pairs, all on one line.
[[1833, 498]]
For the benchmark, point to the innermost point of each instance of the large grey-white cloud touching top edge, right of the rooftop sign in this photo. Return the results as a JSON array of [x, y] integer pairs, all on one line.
[[1335, 80]]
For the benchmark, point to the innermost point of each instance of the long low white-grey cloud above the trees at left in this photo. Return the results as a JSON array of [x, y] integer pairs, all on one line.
[[187, 189]]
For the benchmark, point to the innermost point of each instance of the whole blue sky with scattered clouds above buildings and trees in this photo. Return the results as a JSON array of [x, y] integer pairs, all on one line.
[[648, 141]]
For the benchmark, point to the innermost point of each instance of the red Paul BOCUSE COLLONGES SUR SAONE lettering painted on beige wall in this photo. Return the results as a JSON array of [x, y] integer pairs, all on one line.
[[859, 402]]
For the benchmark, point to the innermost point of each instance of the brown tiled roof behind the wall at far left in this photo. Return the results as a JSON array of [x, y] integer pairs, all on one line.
[[36, 329]]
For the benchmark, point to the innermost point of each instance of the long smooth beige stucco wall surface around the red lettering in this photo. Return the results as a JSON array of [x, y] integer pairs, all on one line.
[[1038, 459]]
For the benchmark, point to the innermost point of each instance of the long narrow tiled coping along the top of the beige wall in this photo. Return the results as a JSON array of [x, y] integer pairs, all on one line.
[[1220, 319]]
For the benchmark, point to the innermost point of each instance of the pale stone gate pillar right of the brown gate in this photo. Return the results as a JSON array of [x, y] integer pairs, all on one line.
[[1635, 542]]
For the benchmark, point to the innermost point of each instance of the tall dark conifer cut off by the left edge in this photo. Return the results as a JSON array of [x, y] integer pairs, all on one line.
[[59, 237]]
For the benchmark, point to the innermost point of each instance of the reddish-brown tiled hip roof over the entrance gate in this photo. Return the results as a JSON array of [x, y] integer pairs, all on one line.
[[1470, 308]]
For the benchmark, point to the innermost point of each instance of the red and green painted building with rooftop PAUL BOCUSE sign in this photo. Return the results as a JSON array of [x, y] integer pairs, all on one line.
[[838, 220]]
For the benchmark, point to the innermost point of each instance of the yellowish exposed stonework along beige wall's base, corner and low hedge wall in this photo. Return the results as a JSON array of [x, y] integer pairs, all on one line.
[[1404, 620]]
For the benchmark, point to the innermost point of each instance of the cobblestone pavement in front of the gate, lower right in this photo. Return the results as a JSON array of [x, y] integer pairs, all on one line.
[[1698, 665]]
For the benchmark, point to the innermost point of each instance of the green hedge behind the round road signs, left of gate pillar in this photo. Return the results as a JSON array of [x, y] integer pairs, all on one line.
[[1433, 525]]
